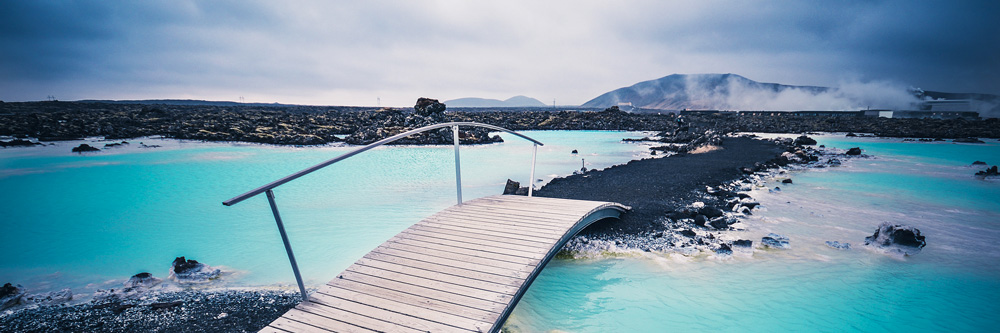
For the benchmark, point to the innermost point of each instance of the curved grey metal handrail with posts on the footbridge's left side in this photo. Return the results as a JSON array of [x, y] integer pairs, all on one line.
[[267, 189]]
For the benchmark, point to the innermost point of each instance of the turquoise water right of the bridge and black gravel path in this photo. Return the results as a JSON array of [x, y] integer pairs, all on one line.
[[951, 286]]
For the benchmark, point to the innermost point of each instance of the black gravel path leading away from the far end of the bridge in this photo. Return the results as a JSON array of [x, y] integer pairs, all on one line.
[[654, 187]]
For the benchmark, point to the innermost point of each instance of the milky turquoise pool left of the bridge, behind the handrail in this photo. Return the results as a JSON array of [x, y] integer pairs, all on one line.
[[92, 220]]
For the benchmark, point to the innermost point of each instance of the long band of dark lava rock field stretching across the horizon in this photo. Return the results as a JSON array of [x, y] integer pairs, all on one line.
[[317, 125]]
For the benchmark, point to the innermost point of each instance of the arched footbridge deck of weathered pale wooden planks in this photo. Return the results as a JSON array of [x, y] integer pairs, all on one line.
[[460, 270]]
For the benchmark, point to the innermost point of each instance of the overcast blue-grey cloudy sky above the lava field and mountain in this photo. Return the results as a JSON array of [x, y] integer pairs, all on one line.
[[356, 52]]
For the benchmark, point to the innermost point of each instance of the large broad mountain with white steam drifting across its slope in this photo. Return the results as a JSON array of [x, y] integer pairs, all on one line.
[[693, 91]]
